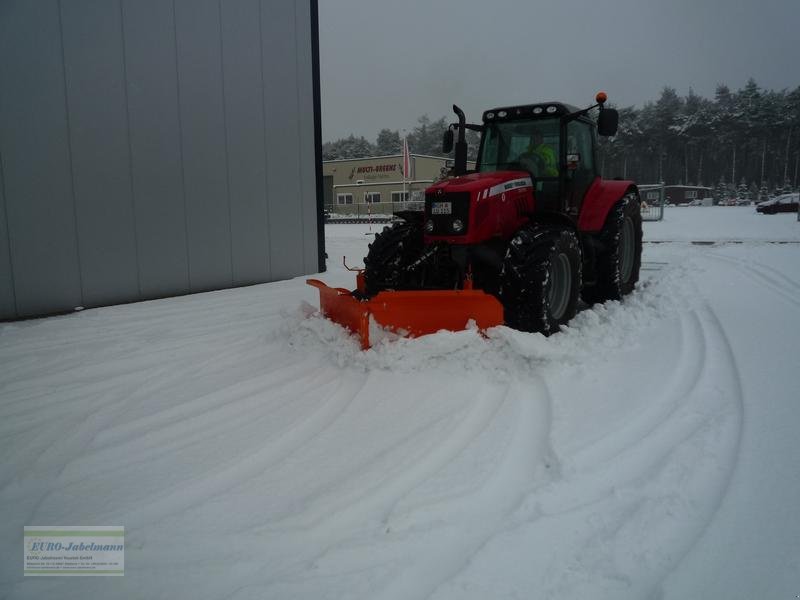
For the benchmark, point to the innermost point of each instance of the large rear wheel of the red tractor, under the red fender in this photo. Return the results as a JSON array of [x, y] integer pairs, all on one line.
[[620, 256]]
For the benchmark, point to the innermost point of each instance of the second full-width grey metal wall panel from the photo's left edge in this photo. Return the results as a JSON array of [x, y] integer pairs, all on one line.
[[94, 70]]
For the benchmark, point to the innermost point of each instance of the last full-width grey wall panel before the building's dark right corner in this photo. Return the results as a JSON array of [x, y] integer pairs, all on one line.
[[282, 134]]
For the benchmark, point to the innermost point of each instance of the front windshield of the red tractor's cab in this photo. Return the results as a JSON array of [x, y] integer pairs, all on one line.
[[531, 145]]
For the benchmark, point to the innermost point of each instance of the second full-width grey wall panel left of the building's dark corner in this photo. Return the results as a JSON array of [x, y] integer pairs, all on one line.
[[247, 164]]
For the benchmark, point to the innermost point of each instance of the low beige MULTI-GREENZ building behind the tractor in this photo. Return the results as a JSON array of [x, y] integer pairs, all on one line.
[[375, 185]]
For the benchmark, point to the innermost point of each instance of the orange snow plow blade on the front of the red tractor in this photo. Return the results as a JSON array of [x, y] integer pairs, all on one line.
[[409, 313]]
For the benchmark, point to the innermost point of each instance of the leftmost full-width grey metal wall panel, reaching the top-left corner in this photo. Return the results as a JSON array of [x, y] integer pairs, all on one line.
[[34, 143]]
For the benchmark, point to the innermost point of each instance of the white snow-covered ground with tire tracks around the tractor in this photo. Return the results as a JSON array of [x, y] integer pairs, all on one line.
[[650, 450]]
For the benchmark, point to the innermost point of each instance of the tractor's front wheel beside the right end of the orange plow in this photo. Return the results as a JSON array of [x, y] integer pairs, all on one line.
[[541, 279]]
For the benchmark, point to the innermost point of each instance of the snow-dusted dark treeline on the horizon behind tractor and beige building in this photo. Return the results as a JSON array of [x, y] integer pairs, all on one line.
[[737, 134]]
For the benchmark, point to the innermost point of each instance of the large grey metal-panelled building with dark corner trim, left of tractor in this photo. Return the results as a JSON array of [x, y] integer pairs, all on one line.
[[151, 148]]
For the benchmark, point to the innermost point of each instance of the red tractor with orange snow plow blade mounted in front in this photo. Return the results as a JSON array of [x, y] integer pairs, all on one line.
[[519, 240]]
